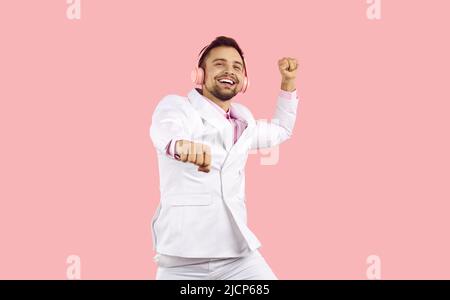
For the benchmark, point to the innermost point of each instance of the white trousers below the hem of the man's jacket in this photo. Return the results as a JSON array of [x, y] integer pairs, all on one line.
[[250, 267]]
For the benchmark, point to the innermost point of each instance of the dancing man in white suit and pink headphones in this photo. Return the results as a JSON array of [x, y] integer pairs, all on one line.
[[202, 142]]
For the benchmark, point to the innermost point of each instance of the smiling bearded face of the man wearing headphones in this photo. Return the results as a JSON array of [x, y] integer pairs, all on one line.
[[224, 73]]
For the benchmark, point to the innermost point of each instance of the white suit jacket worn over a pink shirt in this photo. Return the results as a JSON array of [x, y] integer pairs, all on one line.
[[204, 214]]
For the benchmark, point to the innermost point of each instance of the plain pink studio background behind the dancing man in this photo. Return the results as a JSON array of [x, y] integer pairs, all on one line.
[[366, 172]]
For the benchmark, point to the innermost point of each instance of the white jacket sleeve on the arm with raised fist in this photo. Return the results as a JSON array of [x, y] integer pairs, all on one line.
[[270, 133]]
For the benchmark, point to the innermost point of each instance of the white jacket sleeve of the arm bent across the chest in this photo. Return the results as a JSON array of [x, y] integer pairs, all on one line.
[[169, 124]]
